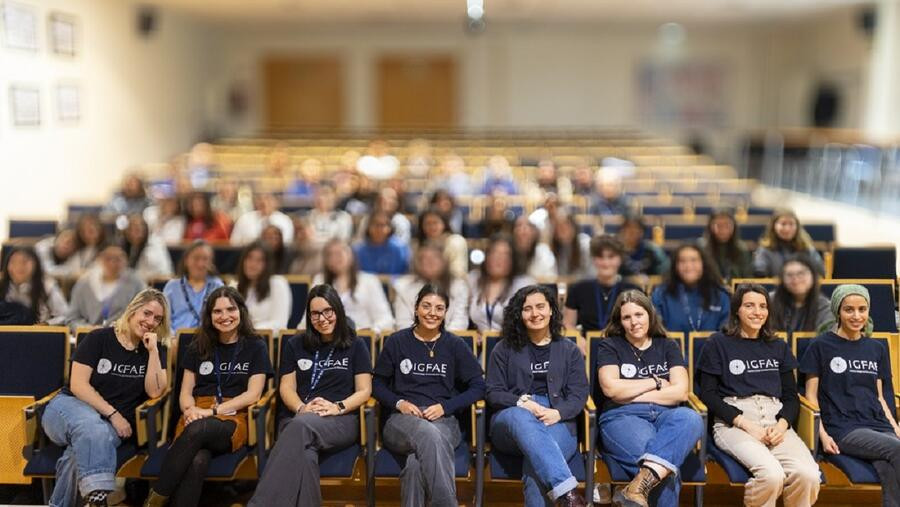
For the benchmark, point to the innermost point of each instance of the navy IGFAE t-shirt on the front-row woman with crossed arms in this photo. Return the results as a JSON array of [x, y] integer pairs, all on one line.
[[662, 355]]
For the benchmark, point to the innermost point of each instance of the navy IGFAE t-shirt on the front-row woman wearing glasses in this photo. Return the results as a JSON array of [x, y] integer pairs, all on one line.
[[335, 368]]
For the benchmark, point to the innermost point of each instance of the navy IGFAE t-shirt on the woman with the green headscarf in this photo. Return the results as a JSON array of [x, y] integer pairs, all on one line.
[[847, 371]]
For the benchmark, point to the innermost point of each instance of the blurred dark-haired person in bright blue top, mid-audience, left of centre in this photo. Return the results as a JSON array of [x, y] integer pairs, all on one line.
[[380, 252]]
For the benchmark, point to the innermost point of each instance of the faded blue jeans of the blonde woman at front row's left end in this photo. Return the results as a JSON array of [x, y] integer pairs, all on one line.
[[90, 456]]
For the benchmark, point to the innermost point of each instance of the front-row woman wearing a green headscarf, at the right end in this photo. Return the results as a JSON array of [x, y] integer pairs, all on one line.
[[849, 378]]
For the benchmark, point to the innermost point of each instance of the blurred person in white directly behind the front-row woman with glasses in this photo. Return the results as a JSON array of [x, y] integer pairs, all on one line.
[[361, 293]]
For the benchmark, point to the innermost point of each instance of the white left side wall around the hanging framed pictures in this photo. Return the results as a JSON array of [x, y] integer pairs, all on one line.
[[142, 101]]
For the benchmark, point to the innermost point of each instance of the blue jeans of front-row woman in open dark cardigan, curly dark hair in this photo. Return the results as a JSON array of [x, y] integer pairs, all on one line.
[[516, 431]]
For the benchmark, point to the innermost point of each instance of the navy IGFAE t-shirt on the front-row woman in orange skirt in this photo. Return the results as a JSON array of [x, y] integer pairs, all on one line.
[[237, 362]]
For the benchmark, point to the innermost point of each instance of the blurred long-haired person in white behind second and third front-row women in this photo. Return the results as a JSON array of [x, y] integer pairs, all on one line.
[[268, 296]]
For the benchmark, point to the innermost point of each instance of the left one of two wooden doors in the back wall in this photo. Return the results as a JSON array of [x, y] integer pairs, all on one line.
[[303, 91]]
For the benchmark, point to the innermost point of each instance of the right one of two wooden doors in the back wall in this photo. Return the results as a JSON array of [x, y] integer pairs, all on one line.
[[417, 91]]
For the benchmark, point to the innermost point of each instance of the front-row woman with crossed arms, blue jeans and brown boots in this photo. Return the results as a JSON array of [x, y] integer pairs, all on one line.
[[643, 379]]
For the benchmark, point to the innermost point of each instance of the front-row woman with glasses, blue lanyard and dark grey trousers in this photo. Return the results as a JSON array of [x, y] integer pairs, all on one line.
[[326, 375]]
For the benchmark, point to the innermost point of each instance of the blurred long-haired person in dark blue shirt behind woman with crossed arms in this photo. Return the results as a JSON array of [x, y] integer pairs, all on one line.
[[692, 298]]
